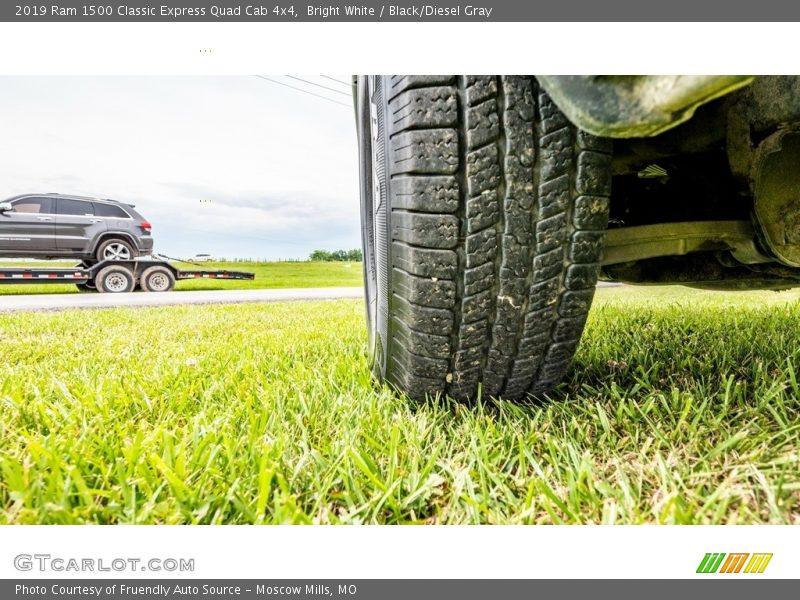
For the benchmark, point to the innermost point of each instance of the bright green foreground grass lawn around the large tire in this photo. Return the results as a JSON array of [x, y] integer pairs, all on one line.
[[681, 407]]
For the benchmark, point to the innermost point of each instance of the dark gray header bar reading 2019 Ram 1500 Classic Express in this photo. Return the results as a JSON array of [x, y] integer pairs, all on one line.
[[409, 10]]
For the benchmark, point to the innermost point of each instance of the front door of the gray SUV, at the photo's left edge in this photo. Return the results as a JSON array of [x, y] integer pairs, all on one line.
[[28, 229]]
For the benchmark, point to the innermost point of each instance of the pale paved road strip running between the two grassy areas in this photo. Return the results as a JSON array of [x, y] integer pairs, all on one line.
[[63, 301]]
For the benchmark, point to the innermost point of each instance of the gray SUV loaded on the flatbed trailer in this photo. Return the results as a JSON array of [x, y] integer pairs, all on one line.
[[63, 226]]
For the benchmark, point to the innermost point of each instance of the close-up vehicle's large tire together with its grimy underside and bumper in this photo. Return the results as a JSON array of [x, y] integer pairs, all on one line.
[[492, 204]]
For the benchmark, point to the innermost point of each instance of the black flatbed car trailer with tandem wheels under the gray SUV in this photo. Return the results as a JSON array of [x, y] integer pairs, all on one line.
[[116, 276]]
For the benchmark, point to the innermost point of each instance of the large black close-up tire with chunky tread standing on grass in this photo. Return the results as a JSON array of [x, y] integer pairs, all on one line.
[[483, 221]]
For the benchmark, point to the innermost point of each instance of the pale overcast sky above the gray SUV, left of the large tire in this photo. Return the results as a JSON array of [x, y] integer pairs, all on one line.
[[232, 166]]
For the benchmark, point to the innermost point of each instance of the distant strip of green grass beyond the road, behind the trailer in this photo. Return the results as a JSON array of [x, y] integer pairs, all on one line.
[[268, 275]]
